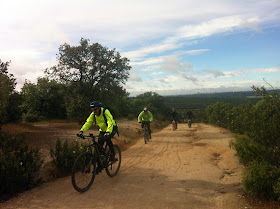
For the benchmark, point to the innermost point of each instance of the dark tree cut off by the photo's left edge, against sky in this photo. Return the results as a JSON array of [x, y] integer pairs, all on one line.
[[7, 87]]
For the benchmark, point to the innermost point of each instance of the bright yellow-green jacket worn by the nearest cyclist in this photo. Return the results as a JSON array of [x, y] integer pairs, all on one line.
[[100, 121]]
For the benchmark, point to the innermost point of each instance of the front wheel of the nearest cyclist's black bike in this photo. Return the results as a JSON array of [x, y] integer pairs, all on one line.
[[83, 172]]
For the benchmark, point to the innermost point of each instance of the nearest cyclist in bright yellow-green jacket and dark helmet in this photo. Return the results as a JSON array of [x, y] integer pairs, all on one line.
[[107, 125]]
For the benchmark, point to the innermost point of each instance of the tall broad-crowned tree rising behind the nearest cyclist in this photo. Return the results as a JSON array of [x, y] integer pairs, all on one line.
[[91, 72]]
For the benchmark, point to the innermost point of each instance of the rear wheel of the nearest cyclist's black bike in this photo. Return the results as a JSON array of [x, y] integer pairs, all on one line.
[[113, 167]]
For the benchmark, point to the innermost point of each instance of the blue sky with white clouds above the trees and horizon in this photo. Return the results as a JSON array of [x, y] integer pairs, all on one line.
[[175, 47]]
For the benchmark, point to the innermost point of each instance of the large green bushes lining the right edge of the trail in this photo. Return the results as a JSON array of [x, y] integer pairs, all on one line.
[[259, 142]]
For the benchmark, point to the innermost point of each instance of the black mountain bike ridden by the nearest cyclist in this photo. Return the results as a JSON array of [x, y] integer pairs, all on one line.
[[92, 162]]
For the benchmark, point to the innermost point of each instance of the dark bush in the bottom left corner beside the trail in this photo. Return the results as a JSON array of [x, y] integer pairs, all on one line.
[[19, 165]]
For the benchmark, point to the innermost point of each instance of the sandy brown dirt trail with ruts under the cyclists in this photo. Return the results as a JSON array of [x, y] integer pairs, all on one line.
[[187, 168]]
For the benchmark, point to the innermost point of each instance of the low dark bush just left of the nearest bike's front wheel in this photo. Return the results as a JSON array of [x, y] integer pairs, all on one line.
[[64, 155]]
